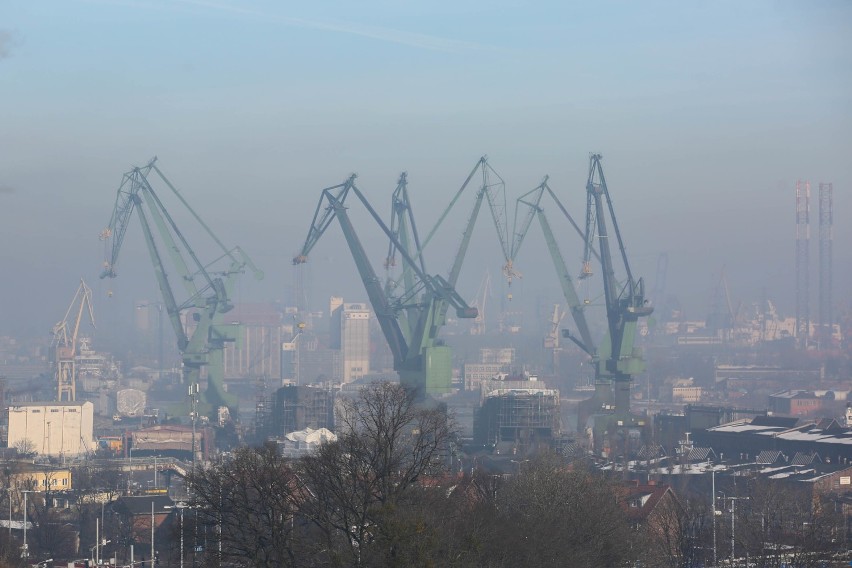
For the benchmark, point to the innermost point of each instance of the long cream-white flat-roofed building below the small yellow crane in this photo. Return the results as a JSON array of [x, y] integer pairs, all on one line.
[[53, 428]]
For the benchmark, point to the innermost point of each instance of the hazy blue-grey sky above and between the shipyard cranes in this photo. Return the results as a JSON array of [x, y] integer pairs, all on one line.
[[706, 113]]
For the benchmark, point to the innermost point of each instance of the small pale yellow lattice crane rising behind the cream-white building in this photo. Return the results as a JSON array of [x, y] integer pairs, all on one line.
[[65, 342]]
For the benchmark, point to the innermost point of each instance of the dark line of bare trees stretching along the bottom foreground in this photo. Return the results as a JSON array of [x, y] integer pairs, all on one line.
[[383, 494]]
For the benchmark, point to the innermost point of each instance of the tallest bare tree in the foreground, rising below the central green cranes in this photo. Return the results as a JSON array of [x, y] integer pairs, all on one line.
[[363, 486]]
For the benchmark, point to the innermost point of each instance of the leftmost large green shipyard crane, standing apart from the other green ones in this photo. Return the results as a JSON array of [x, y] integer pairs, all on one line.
[[207, 286]]
